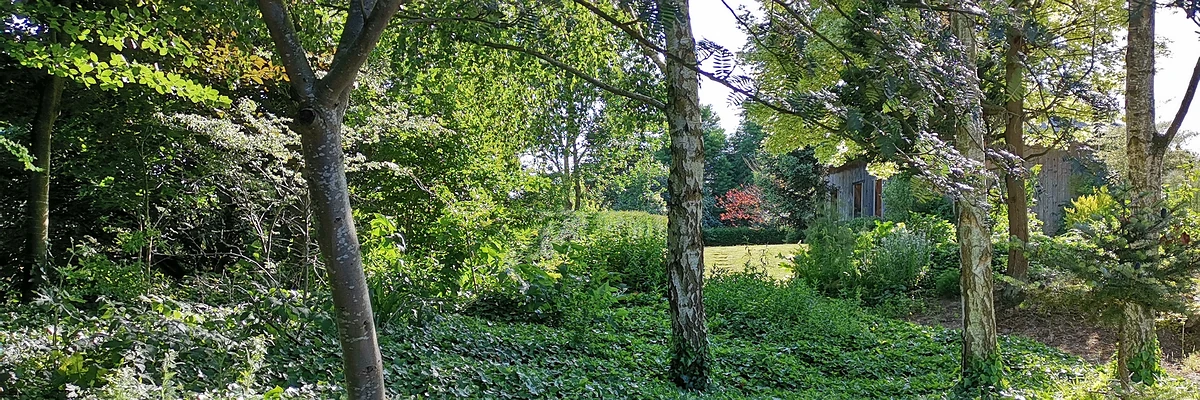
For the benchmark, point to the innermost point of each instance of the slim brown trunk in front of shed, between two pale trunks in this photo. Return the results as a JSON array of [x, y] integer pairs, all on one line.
[[1015, 136]]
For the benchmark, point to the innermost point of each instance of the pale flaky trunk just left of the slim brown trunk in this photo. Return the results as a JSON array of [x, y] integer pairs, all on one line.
[[981, 360]]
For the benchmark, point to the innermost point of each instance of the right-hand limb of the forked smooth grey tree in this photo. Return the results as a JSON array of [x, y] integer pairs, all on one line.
[[357, 50]]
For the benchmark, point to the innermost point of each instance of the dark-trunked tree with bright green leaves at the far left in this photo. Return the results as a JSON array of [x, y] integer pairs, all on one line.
[[86, 43]]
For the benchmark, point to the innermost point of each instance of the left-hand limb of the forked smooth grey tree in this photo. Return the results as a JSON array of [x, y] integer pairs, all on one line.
[[292, 53]]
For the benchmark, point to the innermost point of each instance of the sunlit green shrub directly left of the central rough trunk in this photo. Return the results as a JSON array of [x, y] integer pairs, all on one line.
[[577, 267]]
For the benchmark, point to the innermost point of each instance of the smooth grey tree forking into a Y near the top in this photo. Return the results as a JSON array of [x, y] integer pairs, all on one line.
[[322, 105]]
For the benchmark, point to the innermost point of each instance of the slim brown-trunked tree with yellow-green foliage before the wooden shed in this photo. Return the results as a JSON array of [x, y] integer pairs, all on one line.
[[1049, 76]]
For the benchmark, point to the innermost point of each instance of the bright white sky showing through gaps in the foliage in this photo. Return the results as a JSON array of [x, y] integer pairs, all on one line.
[[712, 21]]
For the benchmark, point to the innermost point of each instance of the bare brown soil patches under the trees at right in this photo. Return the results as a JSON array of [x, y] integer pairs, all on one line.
[[1072, 332]]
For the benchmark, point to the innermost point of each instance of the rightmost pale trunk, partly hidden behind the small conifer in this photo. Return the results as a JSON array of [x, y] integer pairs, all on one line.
[[1138, 345]]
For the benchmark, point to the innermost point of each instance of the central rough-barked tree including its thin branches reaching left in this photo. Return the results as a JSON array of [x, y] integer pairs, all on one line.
[[676, 61]]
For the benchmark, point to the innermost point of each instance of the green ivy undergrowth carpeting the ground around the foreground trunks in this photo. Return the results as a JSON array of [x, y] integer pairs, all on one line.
[[770, 339]]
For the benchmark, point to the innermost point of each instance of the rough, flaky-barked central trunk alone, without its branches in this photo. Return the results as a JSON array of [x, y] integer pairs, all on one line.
[[686, 248]]
